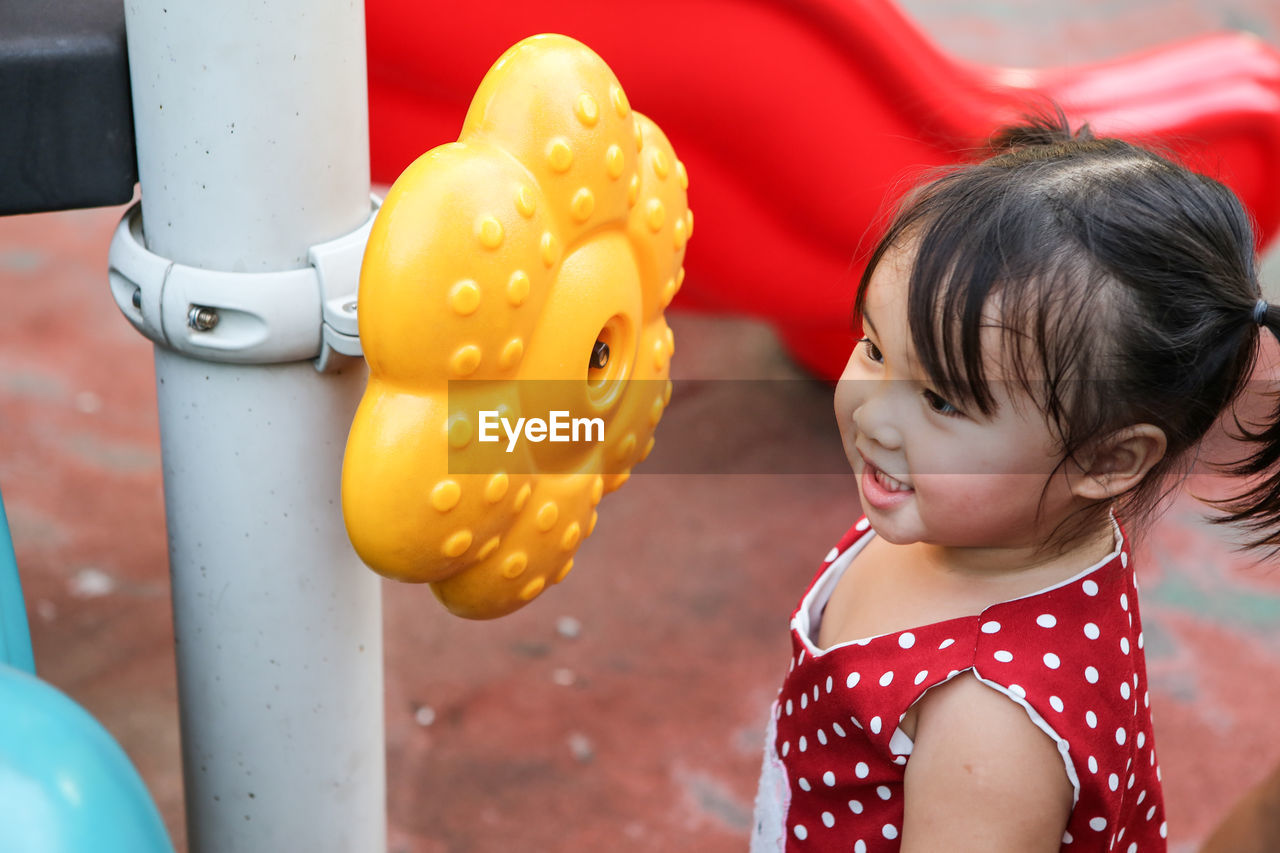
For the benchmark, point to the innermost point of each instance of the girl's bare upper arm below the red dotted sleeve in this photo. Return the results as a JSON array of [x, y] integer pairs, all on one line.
[[982, 777]]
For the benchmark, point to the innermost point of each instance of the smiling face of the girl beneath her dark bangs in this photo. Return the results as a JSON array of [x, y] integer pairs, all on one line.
[[929, 472]]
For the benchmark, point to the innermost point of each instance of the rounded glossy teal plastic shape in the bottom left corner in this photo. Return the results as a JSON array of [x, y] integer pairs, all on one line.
[[66, 786]]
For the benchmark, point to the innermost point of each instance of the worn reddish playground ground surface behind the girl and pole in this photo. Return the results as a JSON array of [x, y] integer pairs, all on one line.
[[625, 709]]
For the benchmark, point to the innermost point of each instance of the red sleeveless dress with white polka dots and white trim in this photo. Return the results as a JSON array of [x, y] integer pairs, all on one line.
[[1069, 655]]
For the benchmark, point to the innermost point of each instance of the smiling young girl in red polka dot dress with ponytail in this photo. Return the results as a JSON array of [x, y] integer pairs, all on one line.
[[1049, 335]]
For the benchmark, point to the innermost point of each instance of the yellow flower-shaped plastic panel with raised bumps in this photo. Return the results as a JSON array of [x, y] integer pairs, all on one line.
[[557, 220]]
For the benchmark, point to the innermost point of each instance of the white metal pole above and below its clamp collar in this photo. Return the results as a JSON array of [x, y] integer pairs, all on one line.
[[253, 147]]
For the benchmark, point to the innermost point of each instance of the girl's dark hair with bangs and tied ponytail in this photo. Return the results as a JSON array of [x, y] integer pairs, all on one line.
[[1126, 289]]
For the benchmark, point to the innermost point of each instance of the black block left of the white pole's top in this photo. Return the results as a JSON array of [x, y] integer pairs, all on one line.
[[66, 110]]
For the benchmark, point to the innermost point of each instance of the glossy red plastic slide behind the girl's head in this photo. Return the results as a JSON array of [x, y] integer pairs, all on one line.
[[801, 121]]
